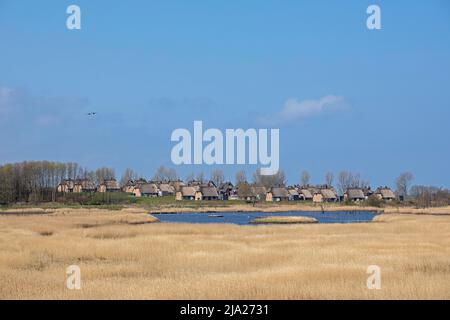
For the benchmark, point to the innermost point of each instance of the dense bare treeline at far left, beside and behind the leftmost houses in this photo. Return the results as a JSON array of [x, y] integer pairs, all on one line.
[[37, 180]]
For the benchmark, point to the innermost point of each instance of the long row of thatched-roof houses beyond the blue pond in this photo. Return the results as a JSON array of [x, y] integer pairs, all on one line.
[[198, 191]]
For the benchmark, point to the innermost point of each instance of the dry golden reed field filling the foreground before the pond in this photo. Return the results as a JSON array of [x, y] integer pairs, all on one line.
[[123, 255]]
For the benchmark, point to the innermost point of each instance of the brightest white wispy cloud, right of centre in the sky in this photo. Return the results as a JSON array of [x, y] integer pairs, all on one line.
[[295, 110]]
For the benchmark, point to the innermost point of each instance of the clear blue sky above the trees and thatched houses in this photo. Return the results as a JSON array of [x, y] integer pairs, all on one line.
[[149, 67]]
